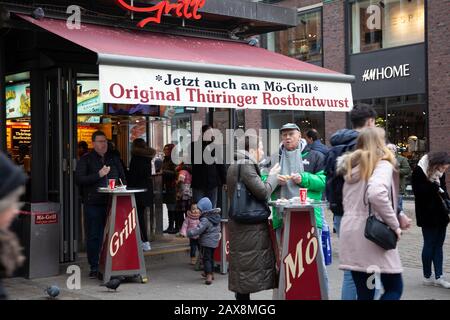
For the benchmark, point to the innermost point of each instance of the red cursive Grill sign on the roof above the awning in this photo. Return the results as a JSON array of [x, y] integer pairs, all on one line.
[[187, 9]]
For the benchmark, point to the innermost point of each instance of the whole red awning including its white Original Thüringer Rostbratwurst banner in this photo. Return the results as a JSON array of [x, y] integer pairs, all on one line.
[[156, 68]]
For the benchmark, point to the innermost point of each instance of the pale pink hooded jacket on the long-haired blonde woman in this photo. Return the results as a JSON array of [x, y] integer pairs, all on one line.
[[356, 253]]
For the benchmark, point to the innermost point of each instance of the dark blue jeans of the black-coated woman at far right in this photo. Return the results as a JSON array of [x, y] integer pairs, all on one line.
[[433, 240]]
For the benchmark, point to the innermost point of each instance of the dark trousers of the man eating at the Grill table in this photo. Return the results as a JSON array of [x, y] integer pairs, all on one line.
[[95, 223]]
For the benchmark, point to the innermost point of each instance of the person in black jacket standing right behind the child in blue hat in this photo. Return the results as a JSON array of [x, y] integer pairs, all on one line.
[[207, 179]]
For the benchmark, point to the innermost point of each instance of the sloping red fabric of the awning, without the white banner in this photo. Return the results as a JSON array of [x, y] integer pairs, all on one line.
[[144, 44]]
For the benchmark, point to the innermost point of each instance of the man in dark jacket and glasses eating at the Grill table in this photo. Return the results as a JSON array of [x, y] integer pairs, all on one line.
[[93, 171]]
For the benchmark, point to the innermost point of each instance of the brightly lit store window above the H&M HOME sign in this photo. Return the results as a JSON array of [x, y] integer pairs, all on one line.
[[385, 24]]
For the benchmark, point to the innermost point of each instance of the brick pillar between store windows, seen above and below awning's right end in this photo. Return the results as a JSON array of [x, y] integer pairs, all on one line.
[[334, 55]]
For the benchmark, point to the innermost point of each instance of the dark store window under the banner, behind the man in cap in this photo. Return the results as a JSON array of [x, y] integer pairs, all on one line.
[[304, 119]]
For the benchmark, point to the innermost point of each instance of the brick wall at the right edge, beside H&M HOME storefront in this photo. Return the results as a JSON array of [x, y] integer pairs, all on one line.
[[439, 77]]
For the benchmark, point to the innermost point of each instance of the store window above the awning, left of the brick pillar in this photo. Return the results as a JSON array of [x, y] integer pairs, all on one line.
[[303, 42]]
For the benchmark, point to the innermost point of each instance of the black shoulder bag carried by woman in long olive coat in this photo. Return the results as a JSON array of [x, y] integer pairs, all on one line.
[[244, 207]]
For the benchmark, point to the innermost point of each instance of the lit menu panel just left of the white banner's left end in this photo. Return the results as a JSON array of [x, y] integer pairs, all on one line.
[[88, 97]]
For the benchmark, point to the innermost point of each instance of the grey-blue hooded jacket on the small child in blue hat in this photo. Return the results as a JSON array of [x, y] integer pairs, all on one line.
[[208, 229]]
